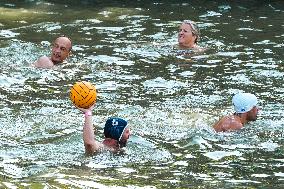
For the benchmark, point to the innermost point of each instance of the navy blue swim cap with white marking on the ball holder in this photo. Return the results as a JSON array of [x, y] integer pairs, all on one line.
[[114, 128]]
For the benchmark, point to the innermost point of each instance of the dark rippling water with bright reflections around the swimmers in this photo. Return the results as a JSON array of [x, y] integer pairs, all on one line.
[[171, 101]]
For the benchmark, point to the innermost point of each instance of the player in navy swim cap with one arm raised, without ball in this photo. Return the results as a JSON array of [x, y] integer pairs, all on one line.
[[116, 132]]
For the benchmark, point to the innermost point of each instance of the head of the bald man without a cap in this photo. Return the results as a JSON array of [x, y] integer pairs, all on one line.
[[61, 49]]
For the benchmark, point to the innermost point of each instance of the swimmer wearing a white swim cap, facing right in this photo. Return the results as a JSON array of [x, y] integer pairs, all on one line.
[[246, 109]]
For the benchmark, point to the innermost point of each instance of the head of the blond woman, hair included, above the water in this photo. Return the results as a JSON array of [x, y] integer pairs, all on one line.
[[188, 34]]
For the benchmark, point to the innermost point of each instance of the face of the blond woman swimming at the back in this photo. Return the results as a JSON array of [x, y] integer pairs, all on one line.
[[185, 36]]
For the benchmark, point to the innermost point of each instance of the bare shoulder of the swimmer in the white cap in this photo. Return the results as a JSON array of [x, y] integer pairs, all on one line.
[[228, 123]]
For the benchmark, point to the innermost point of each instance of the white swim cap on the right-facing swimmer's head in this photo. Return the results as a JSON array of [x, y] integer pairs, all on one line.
[[244, 102]]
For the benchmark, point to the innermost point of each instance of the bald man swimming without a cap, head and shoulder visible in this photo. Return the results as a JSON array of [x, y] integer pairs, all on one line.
[[61, 50]]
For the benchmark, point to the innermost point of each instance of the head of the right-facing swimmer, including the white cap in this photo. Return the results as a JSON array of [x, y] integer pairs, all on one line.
[[246, 103]]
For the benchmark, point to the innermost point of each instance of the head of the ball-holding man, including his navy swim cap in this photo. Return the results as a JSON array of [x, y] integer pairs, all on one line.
[[117, 129]]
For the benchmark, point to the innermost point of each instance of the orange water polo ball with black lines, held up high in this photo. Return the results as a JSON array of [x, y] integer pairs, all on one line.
[[83, 94]]
